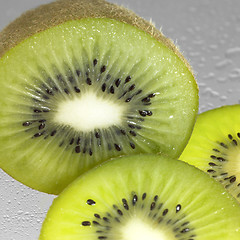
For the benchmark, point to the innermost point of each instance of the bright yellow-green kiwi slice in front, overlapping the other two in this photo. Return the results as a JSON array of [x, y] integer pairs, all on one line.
[[148, 198]]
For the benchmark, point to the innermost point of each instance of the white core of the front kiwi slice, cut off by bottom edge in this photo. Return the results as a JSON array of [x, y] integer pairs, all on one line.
[[138, 229]]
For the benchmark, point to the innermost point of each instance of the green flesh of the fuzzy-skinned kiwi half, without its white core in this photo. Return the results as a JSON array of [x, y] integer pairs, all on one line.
[[57, 54]]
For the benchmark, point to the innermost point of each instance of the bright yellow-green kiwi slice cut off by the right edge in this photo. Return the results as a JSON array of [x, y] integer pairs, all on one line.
[[215, 146]]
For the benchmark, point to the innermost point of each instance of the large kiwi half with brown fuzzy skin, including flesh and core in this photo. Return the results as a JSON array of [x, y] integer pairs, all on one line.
[[82, 81]]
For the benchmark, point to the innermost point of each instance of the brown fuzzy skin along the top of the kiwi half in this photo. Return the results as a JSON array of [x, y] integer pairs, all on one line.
[[55, 13]]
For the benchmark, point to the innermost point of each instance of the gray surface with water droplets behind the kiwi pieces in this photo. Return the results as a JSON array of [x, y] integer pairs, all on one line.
[[207, 32]]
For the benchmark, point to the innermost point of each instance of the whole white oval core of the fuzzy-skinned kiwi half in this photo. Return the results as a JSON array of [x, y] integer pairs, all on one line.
[[89, 112]]
